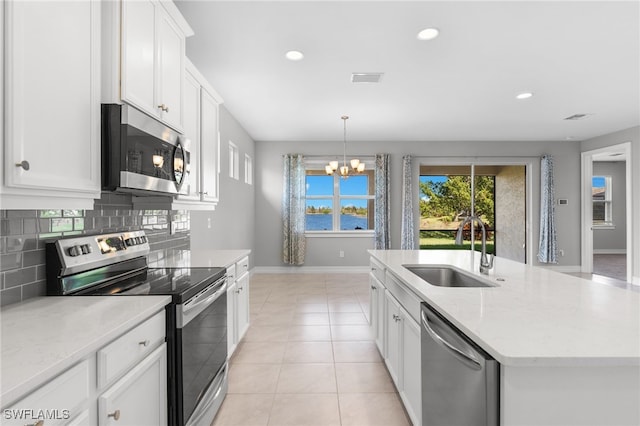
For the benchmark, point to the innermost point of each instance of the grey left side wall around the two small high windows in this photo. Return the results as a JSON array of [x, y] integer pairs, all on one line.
[[233, 221]]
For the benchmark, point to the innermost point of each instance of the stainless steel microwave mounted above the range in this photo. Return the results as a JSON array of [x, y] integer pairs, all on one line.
[[140, 154]]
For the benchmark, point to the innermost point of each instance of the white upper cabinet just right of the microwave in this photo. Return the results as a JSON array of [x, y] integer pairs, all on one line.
[[201, 116]]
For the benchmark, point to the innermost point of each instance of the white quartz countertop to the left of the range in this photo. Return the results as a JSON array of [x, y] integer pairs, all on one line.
[[44, 336]]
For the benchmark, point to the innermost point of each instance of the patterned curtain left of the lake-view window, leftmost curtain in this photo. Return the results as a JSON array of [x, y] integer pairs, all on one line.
[[293, 209]]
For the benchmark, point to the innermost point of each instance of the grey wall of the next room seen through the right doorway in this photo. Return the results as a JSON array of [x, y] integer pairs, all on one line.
[[613, 240]]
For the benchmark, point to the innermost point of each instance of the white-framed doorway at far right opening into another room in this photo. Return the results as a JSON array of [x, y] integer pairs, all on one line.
[[606, 212]]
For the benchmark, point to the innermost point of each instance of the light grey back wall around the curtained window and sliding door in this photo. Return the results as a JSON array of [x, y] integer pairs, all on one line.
[[324, 252]]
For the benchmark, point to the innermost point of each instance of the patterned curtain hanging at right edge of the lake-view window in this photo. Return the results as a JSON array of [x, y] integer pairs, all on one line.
[[382, 207]]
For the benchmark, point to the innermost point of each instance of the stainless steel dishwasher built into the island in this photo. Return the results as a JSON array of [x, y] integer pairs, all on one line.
[[460, 381]]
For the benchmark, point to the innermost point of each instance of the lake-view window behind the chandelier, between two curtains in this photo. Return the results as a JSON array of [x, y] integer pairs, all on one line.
[[339, 204]]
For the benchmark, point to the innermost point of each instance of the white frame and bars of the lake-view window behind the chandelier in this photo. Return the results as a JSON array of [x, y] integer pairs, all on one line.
[[317, 169]]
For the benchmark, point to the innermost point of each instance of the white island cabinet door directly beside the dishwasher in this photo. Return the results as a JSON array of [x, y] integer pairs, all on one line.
[[411, 392]]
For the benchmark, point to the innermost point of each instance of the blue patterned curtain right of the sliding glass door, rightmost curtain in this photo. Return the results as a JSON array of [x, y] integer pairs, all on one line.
[[548, 247]]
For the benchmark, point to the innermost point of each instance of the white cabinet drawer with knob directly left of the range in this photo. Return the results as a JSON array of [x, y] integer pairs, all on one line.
[[127, 350]]
